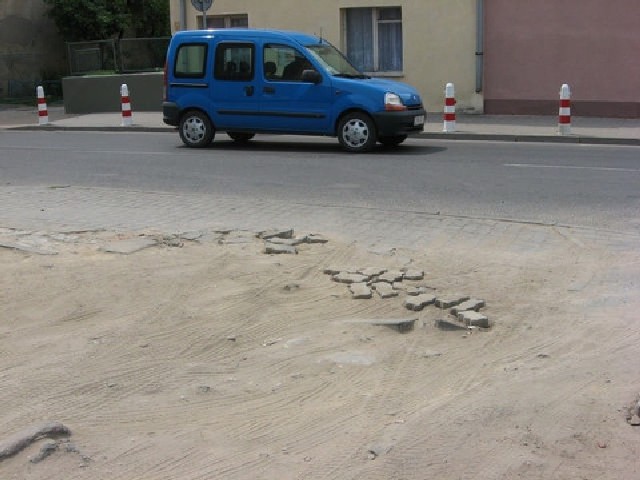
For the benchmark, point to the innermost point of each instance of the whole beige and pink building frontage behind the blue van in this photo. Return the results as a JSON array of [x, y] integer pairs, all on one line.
[[503, 56]]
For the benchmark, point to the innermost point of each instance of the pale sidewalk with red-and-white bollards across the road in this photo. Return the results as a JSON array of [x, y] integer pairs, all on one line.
[[516, 128]]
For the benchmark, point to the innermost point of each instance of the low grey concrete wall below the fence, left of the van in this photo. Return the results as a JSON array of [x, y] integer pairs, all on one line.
[[92, 94]]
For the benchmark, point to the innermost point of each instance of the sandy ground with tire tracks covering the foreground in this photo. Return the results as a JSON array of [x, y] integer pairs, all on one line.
[[204, 360]]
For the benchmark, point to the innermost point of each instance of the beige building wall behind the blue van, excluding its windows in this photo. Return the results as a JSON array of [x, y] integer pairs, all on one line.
[[439, 36]]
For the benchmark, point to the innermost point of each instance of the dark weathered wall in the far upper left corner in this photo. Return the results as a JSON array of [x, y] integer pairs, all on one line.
[[30, 46]]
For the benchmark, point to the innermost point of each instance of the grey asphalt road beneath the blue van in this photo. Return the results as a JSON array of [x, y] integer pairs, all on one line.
[[565, 184]]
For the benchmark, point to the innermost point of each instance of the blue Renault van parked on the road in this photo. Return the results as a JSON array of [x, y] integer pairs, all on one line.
[[243, 82]]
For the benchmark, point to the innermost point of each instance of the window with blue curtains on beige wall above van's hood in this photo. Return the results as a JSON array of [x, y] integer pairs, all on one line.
[[374, 38]]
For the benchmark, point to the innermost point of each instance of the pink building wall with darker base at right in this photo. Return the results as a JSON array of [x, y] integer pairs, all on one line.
[[533, 47]]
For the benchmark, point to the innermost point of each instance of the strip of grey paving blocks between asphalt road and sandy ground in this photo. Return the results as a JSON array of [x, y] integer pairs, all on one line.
[[74, 208]]
